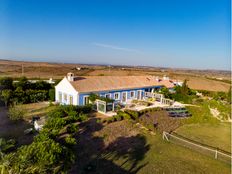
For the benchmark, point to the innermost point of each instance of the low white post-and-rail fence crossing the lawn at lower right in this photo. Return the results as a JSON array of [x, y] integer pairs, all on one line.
[[204, 149]]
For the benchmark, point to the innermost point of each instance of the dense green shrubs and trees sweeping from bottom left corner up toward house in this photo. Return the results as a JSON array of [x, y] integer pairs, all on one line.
[[52, 150]]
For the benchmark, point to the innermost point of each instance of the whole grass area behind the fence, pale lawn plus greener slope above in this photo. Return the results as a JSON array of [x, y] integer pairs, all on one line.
[[205, 128]]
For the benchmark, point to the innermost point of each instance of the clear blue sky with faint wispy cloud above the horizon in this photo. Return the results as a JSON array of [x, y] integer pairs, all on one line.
[[162, 33]]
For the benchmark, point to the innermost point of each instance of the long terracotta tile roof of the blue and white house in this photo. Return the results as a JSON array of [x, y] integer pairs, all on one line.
[[107, 83]]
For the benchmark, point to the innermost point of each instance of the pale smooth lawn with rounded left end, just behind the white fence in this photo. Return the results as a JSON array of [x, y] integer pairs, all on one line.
[[216, 135]]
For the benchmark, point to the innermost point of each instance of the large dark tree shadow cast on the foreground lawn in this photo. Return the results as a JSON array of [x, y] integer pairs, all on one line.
[[93, 156]]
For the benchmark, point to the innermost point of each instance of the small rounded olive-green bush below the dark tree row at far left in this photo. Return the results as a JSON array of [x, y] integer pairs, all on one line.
[[16, 113]]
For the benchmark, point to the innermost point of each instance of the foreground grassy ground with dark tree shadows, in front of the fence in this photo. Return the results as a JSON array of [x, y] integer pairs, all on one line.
[[121, 147]]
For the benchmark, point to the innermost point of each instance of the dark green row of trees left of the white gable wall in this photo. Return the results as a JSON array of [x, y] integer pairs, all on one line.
[[24, 91]]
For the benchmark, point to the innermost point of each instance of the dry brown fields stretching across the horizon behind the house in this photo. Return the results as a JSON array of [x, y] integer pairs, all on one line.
[[197, 79]]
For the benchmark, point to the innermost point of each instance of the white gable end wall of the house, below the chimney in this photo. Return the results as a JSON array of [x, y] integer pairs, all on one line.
[[66, 88]]
